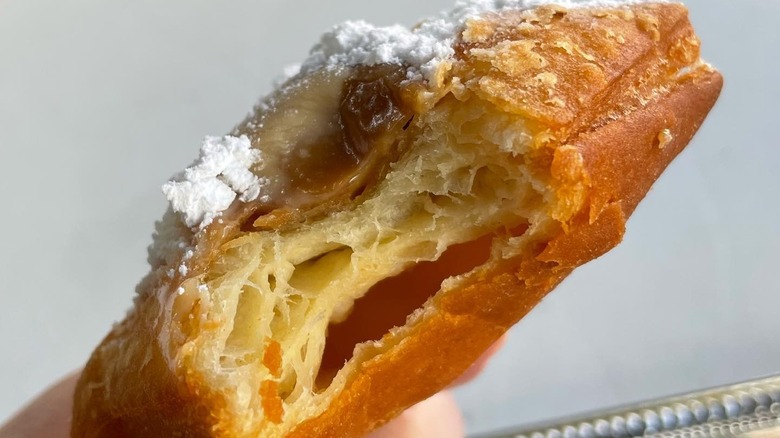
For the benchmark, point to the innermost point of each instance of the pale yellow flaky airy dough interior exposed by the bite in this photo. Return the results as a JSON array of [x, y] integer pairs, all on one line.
[[464, 180]]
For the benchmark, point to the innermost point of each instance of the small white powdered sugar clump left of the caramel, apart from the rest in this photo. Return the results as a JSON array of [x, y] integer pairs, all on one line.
[[211, 184]]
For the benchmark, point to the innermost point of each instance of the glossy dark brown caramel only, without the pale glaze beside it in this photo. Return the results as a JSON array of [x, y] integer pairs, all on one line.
[[349, 148]]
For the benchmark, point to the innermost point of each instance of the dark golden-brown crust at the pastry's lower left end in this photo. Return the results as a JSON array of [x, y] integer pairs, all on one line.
[[150, 387]]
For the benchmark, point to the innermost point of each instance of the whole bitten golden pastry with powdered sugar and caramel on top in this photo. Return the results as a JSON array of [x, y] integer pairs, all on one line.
[[390, 211]]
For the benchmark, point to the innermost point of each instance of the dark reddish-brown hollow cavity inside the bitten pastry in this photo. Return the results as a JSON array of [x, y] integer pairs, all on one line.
[[388, 303]]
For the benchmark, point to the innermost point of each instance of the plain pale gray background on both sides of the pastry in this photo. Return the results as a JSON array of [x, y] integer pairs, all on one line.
[[101, 101]]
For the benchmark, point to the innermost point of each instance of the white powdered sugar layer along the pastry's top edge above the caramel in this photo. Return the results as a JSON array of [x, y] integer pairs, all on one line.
[[425, 48]]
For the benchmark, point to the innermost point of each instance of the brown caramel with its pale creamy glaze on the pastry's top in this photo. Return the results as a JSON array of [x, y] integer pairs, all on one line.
[[326, 140]]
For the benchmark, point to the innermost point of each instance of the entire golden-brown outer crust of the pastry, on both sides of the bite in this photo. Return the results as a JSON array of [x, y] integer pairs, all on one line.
[[605, 92]]
